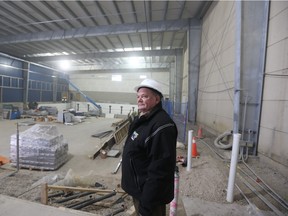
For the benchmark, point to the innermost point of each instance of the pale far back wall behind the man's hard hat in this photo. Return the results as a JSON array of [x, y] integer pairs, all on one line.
[[102, 89]]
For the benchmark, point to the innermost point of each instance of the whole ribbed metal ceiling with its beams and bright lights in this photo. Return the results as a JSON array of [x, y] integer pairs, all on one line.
[[97, 35]]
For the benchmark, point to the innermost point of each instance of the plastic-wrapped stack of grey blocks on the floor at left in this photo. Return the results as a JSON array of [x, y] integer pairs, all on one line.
[[40, 147]]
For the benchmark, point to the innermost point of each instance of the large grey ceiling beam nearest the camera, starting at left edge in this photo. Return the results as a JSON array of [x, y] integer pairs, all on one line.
[[85, 32]]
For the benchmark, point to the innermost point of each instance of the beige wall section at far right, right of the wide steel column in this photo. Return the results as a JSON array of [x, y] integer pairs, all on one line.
[[273, 137]]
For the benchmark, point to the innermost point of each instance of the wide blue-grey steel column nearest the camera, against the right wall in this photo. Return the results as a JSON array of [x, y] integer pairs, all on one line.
[[251, 39]]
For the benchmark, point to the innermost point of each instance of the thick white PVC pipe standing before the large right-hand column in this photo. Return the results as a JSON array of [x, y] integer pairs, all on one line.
[[233, 167]]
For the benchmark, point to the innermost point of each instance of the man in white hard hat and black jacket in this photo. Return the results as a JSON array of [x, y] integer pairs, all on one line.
[[149, 155]]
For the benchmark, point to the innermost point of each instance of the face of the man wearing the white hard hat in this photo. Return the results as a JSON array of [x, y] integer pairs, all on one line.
[[146, 99]]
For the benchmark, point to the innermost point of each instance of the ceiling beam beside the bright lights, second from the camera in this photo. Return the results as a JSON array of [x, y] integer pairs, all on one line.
[[101, 55]]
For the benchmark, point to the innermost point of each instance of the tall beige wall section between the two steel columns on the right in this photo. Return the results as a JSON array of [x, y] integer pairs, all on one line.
[[216, 78]]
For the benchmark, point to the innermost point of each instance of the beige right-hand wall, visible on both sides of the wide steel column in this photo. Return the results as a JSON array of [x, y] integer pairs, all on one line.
[[216, 80]]
